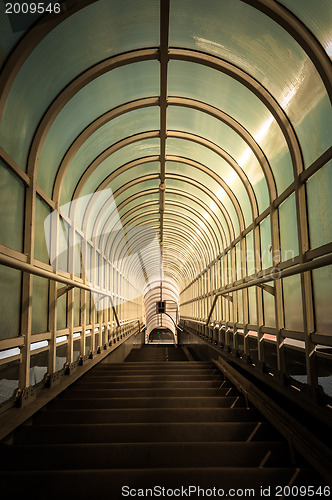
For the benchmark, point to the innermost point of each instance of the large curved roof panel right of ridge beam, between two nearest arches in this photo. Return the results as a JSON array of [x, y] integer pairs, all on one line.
[[238, 33]]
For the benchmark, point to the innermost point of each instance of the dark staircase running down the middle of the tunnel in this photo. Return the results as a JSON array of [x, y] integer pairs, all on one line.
[[152, 421]]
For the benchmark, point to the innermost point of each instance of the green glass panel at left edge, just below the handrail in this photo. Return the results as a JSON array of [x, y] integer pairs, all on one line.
[[10, 302]]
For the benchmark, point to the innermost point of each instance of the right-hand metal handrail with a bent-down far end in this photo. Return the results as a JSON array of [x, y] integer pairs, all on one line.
[[273, 275]]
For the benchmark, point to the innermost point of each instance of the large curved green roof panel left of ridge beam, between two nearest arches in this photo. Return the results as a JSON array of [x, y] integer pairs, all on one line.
[[93, 34]]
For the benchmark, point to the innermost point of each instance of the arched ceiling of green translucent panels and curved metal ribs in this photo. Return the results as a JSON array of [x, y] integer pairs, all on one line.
[[191, 116]]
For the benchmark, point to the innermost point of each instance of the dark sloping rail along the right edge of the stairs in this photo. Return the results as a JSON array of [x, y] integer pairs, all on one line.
[[298, 436]]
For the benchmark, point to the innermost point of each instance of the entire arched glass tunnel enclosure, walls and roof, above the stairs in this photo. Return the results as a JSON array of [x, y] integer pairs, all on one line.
[[174, 153]]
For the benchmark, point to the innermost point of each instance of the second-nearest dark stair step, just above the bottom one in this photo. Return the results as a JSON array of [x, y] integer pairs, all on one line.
[[123, 455]]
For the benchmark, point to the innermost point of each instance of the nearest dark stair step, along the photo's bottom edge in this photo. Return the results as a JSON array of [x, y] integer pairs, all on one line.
[[117, 483]]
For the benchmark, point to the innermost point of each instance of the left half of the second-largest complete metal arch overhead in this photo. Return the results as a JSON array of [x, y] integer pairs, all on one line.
[[90, 130]]
